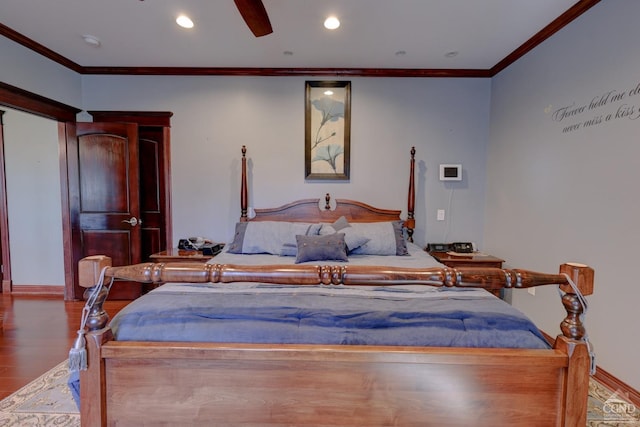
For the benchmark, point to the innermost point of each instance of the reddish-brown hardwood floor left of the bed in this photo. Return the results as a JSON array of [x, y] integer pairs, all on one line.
[[37, 333]]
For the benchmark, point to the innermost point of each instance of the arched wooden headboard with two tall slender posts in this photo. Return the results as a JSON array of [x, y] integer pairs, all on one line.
[[315, 210]]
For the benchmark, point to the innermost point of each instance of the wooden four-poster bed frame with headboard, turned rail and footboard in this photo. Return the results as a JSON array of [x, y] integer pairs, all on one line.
[[180, 383]]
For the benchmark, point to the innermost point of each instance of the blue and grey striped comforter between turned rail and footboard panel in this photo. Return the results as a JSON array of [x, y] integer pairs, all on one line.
[[402, 315]]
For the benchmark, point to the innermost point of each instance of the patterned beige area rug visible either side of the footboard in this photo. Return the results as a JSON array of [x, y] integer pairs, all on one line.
[[47, 401]]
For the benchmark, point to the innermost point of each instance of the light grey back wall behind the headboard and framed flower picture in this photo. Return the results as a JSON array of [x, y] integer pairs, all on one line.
[[445, 119]]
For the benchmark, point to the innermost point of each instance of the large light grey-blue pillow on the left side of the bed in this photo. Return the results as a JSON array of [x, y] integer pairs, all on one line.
[[259, 237]]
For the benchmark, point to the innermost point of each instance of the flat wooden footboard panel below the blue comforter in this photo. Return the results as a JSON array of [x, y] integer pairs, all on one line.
[[132, 383]]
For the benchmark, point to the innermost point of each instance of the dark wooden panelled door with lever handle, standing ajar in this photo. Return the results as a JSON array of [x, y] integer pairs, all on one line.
[[107, 212]]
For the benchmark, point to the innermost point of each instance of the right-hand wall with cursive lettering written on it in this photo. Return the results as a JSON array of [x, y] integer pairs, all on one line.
[[555, 196]]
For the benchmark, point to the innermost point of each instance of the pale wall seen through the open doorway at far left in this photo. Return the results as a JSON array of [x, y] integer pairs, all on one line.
[[33, 199]]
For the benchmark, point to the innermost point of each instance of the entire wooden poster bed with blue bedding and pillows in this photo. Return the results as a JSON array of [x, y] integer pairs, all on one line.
[[242, 375]]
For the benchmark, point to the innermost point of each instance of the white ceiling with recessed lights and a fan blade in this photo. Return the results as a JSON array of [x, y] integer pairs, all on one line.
[[465, 37]]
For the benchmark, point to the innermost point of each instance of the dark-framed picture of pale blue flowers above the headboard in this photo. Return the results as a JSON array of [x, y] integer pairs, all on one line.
[[327, 130]]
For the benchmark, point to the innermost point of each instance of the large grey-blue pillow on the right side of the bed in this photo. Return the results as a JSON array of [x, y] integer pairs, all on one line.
[[385, 238]]
